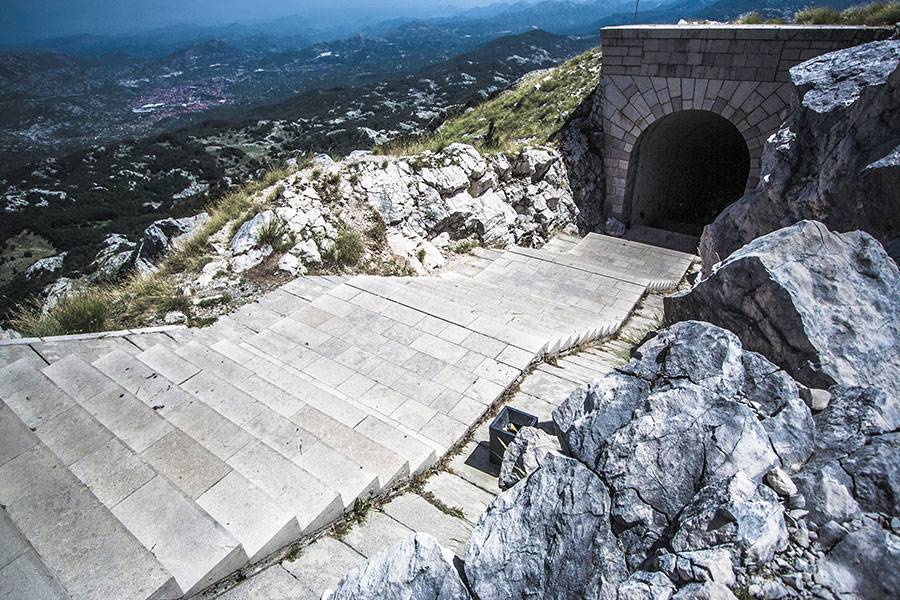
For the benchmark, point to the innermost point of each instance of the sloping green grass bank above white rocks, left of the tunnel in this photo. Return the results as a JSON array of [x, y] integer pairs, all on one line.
[[530, 113]]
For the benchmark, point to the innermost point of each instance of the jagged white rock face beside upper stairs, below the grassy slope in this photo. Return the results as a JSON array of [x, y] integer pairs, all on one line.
[[519, 199]]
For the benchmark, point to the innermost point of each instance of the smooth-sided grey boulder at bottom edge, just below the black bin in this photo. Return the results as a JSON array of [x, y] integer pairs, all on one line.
[[547, 537]]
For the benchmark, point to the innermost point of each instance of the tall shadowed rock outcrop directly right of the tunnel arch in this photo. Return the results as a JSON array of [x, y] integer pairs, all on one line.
[[835, 159]]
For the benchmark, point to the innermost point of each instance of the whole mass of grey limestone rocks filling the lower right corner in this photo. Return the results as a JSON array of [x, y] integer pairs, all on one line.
[[697, 470]]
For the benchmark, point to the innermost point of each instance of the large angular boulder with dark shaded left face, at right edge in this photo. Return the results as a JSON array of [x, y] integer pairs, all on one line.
[[822, 305]]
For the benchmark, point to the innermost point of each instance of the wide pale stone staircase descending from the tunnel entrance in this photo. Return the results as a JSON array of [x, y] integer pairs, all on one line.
[[152, 464]]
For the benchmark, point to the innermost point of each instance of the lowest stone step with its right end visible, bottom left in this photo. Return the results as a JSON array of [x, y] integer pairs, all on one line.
[[82, 544]]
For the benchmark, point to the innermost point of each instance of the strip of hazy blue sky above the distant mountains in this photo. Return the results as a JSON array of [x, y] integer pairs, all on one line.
[[34, 19]]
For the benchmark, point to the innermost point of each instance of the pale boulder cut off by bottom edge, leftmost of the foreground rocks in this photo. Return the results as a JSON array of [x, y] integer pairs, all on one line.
[[415, 569]]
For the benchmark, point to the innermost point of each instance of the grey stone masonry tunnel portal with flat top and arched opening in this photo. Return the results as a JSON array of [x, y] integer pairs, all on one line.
[[734, 74]]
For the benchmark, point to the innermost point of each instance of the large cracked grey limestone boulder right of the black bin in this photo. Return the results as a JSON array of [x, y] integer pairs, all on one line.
[[690, 408]]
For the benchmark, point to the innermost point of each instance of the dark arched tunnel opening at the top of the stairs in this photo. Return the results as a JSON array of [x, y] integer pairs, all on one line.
[[684, 169]]
